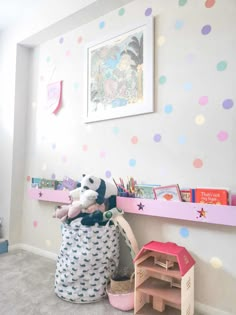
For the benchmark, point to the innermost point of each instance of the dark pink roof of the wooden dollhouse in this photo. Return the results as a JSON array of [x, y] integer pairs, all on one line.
[[185, 260]]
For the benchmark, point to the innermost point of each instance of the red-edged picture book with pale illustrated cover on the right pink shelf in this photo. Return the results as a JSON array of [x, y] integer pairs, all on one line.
[[168, 193]]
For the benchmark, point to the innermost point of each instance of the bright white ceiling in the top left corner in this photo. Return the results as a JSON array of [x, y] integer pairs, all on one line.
[[12, 11]]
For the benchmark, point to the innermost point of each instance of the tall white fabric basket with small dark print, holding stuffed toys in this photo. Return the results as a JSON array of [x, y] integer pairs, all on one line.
[[88, 257]]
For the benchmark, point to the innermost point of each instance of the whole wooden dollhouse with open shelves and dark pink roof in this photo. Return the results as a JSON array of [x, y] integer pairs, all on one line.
[[164, 280]]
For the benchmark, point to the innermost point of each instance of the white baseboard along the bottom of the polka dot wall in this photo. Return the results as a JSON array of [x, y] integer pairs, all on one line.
[[202, 309]]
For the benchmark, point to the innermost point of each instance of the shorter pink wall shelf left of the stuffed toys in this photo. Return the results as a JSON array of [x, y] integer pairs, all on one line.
[[60, 196]]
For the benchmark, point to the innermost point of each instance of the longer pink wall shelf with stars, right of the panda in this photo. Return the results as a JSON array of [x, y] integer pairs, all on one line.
[[206, 213]]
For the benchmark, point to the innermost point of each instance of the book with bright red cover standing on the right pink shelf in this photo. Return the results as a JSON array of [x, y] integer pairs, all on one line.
[[212, 196]]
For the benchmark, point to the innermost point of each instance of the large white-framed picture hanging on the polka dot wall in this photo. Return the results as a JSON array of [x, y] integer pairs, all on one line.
[[119, 74]]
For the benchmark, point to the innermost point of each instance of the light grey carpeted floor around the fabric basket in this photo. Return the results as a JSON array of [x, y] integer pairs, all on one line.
[[27, 288]]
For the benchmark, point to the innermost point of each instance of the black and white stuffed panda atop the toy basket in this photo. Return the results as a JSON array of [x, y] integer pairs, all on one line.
[[106, 190]]
